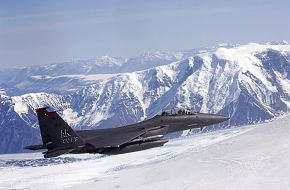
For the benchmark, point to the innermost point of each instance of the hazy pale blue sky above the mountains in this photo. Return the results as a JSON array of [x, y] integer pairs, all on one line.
[[41, 32]]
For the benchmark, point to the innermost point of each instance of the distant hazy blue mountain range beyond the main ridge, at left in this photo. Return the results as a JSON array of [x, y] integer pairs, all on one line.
[[67, 76]]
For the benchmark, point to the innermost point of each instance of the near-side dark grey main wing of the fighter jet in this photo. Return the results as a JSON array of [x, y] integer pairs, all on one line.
[[114, 140]]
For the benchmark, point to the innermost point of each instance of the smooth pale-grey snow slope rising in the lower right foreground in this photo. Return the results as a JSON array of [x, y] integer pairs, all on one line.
[[258, 159]]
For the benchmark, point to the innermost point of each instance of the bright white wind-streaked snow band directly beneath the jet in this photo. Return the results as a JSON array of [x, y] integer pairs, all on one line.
[[32, 171]]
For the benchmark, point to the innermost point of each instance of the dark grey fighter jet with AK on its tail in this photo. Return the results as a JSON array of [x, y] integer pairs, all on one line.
[[59, 138]]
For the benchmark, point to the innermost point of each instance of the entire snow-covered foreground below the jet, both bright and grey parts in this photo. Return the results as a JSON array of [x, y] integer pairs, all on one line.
[[253, 157]]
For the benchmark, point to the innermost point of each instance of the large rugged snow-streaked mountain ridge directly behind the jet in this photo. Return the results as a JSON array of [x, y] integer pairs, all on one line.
[[250, 83]]
